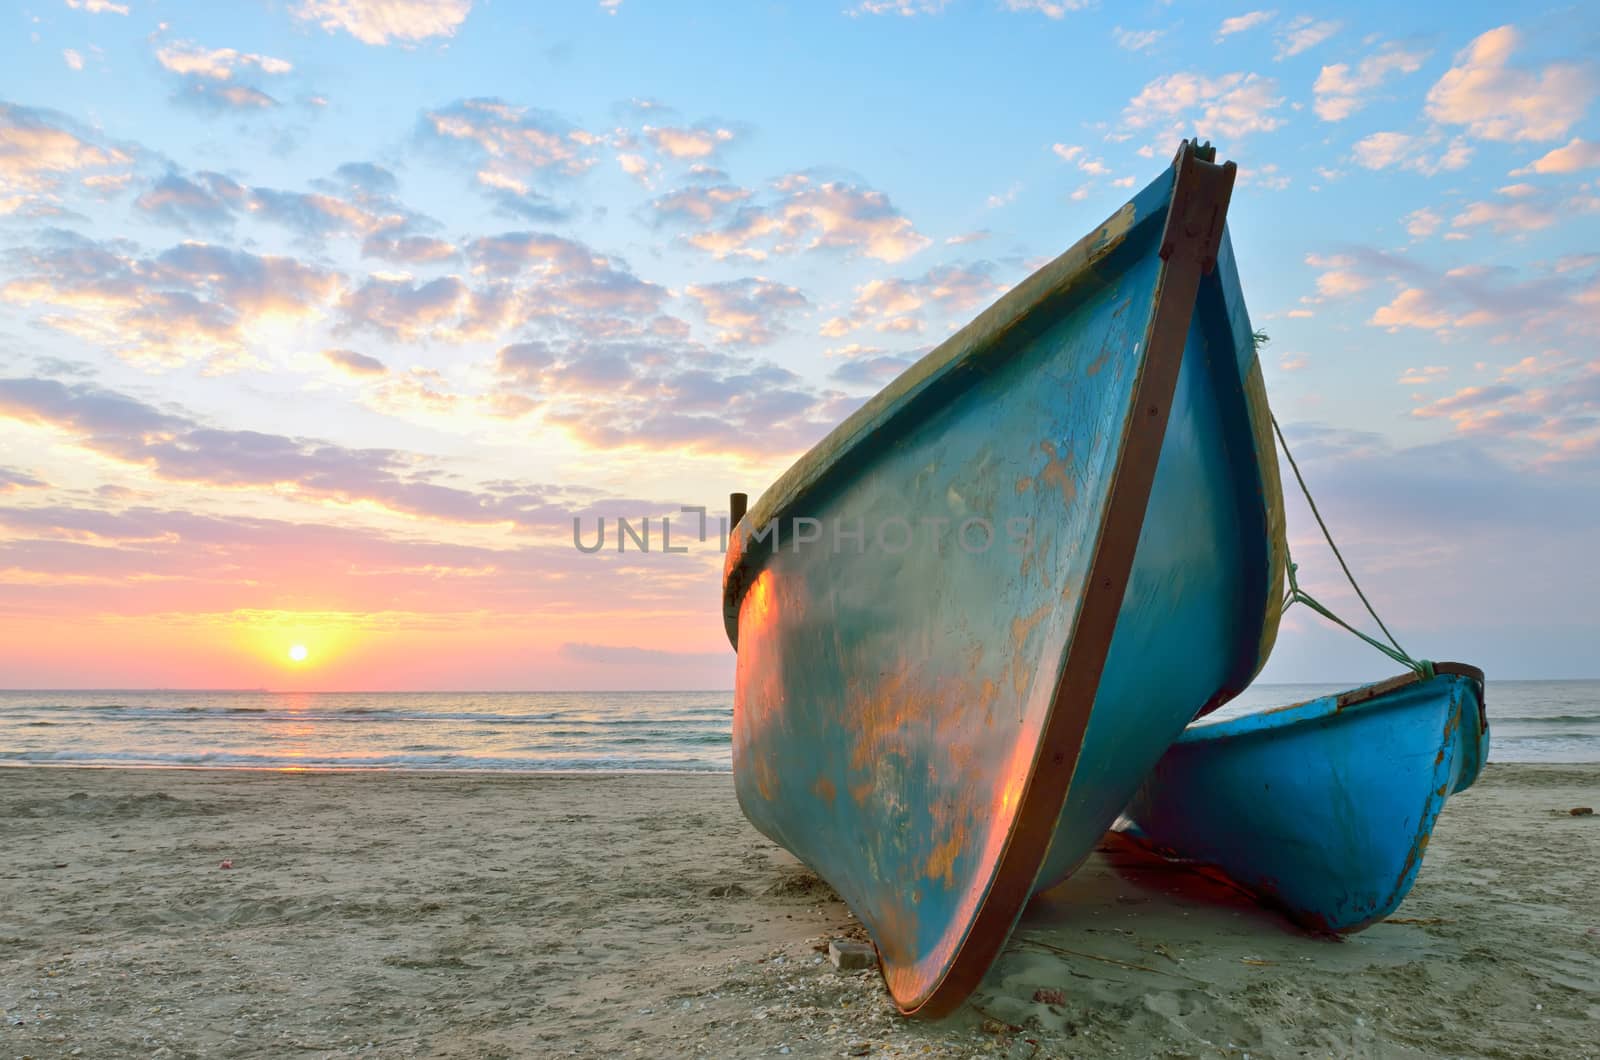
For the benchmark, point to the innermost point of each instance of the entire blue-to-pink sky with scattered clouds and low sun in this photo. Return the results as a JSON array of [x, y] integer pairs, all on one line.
[[322, 321]]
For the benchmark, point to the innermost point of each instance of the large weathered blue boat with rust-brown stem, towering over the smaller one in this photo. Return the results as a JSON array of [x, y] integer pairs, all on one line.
[[975, 616]]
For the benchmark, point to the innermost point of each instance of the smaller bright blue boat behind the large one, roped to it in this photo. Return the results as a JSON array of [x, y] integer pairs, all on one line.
[[1322, 808]]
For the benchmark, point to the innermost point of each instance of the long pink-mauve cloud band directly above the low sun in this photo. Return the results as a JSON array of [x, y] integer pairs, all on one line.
[[188, 566]]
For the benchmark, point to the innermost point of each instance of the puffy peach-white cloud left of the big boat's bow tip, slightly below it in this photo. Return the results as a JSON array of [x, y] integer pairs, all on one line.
[[802, 214]]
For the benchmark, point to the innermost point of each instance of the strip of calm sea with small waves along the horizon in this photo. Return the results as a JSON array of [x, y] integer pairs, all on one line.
[[1530, 721]]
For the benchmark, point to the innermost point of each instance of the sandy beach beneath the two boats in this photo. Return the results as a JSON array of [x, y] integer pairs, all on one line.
[[412, 915]]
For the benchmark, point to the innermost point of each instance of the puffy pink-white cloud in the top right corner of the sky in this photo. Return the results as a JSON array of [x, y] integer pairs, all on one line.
[[1500, 102]]
